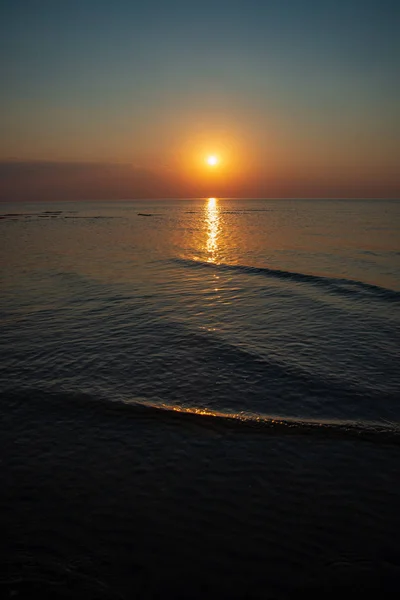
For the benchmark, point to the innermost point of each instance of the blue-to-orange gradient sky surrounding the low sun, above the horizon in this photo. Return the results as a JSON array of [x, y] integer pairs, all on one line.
[[107, 99]]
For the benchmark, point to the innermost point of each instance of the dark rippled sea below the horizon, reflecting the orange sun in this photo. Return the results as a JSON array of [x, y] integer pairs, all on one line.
[[200, 398]]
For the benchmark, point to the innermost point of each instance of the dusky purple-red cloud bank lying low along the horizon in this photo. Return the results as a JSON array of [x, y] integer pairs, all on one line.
[[47, 180]]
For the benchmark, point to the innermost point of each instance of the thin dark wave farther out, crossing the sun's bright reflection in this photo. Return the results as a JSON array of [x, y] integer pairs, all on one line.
[[339, 285]]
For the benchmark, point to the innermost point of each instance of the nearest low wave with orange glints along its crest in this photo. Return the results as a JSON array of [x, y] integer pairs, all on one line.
[[74, 404]]
